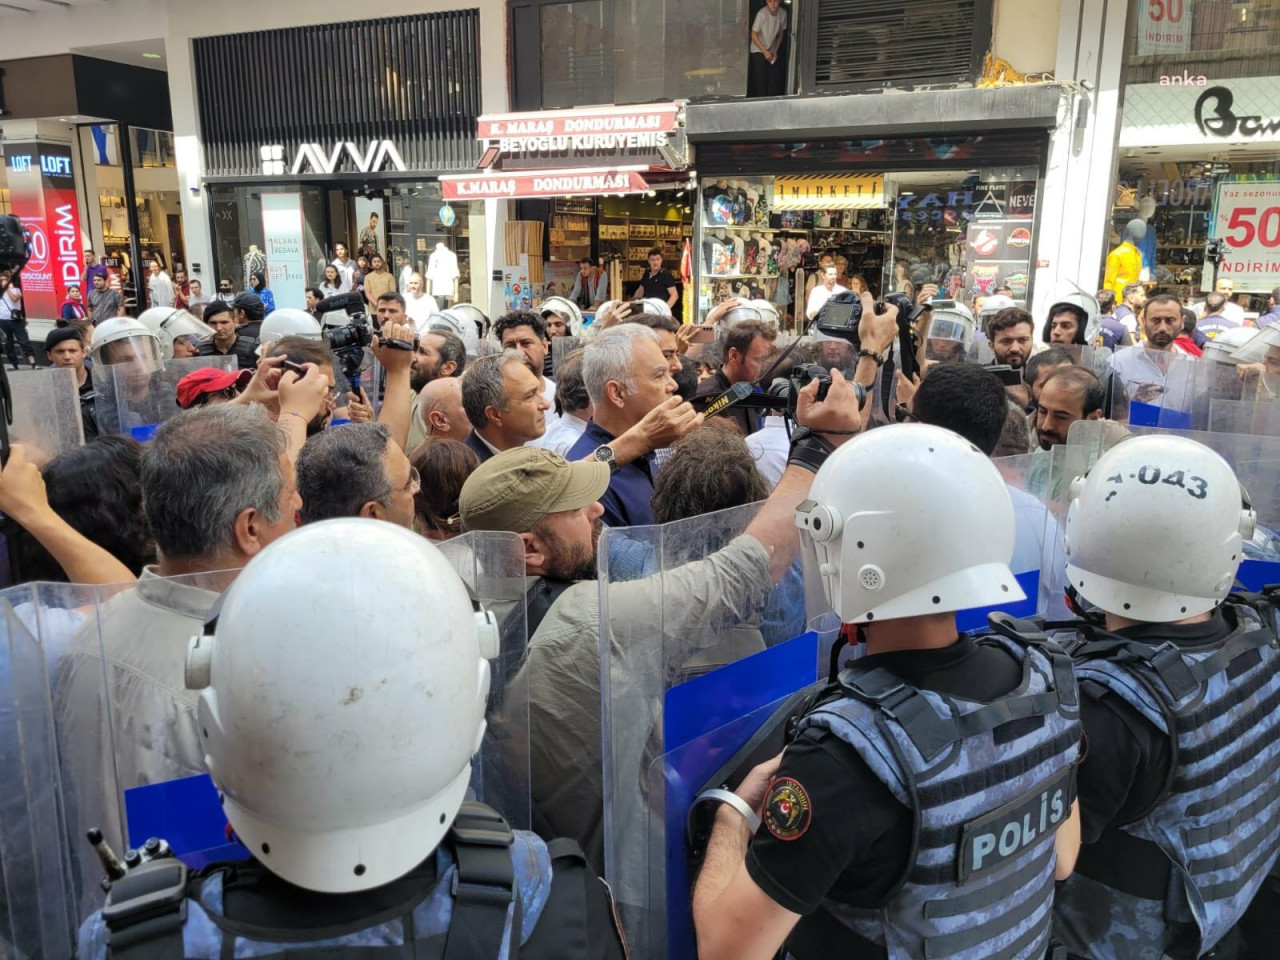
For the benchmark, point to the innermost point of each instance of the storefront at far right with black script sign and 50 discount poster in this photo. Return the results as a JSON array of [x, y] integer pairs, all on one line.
[[1200, 148]]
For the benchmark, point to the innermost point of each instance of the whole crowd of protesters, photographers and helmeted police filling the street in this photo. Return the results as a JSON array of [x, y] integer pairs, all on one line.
[[947, 796]]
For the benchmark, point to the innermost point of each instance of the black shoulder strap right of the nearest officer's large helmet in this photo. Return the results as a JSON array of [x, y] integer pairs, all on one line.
[[484, 888]]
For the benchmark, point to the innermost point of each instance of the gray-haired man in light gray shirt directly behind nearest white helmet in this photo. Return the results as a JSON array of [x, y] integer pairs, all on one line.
[[217, 487]]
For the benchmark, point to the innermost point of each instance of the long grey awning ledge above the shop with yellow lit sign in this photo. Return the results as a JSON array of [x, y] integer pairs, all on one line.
[[881, 115]]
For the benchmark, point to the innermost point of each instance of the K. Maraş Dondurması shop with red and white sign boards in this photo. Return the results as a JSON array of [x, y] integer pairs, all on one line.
[[606, 185]]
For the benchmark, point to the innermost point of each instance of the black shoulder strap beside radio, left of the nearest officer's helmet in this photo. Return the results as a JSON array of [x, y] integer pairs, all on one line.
[[147, 911]]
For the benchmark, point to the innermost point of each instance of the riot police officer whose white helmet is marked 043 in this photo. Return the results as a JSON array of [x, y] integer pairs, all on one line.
[[1181, 789]]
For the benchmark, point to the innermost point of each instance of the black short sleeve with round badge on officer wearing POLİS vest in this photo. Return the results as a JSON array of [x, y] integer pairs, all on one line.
[[854, 830]]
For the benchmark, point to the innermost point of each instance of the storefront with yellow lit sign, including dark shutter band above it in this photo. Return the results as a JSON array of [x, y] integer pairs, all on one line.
[[894, 214]]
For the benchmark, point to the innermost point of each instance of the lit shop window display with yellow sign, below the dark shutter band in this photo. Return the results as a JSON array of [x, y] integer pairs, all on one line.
[[968, 232]]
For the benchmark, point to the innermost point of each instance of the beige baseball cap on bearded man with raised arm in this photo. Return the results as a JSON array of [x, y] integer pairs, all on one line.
[[518, 488]]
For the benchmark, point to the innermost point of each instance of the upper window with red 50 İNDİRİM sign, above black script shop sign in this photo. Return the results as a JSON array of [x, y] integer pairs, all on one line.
[[1199, 42]]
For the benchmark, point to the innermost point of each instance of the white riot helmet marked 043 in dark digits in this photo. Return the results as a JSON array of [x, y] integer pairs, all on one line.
[[1155, 531]]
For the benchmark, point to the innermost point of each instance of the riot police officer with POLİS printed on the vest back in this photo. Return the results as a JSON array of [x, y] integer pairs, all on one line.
[[921, 810]]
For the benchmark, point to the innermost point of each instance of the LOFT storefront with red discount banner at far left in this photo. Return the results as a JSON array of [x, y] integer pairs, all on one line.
[[90, 168]]
